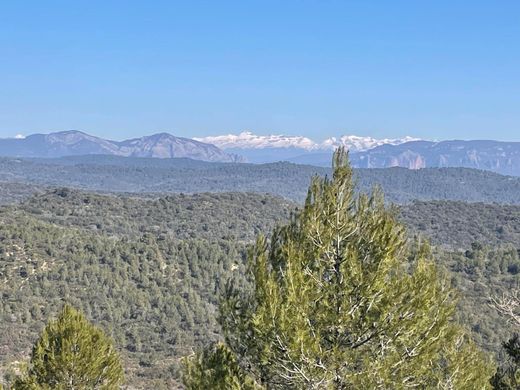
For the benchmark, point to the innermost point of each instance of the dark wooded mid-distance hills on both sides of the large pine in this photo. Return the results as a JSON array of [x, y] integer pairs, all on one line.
[[450, 224]]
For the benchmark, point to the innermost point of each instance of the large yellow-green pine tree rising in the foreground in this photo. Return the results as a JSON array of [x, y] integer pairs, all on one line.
[[340, 300]]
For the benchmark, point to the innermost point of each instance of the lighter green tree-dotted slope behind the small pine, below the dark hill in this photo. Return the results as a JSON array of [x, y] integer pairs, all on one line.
[[155, 297]]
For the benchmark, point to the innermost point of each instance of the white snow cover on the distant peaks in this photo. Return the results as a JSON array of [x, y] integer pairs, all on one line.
[[248, 140]]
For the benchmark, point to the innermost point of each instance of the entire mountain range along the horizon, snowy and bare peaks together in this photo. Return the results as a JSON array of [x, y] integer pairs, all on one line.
[[365, 152]]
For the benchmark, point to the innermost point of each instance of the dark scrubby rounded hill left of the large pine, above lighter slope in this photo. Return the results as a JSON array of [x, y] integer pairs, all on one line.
[[230, 216]]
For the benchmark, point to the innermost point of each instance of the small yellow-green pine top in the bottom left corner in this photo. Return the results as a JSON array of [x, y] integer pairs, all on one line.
[[71, 353]]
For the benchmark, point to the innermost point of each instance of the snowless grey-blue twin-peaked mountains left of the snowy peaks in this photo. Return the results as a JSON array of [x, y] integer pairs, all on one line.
[[74, 143]]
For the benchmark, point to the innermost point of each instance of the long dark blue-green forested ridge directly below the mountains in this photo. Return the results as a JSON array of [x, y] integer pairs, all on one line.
[[149, 175]]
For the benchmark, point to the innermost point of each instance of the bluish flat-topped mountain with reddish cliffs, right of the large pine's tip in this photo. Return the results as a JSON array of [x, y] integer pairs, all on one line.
[[501, 157]]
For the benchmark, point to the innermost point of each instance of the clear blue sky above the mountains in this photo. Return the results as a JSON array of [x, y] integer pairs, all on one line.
[[118, 69]]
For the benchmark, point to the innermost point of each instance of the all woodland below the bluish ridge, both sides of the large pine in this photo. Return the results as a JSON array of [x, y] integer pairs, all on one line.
[[149, 271]]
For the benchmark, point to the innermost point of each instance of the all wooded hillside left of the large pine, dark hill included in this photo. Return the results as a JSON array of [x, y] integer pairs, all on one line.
[[138, 273]]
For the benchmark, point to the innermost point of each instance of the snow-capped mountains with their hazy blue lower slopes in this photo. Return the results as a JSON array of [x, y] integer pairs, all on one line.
[[268, 148]]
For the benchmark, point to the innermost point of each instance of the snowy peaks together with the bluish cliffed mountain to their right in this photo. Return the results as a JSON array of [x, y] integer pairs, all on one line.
[[368, 152]]
